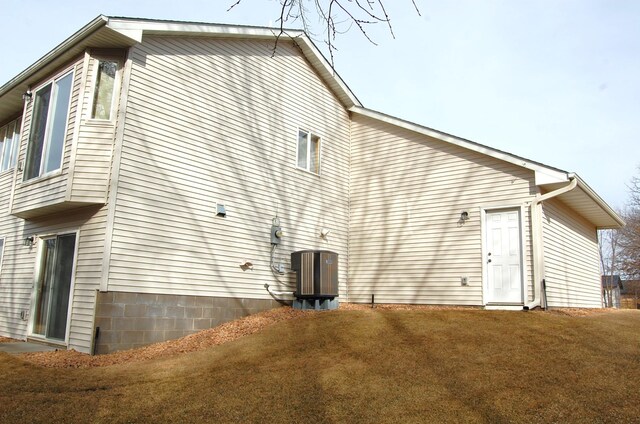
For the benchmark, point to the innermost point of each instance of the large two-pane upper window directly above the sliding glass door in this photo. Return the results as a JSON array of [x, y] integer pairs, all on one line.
[[48, 127]]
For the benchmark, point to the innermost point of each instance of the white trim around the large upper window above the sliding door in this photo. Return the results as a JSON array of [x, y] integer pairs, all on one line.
[[58, 76]]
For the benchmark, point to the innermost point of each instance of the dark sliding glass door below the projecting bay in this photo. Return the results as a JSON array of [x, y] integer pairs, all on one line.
[[53, 286]]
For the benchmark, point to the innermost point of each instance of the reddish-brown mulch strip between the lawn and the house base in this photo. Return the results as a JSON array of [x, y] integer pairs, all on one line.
[[221, 334]]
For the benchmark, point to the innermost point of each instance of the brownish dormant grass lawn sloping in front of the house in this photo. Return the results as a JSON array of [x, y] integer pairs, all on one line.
[[361, 366]]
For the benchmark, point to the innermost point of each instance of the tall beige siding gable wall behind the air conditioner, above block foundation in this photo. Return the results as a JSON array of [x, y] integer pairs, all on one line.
[[217, 121]]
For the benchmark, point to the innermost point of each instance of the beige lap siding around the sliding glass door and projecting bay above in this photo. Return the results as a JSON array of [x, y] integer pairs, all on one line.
[[17, 273]]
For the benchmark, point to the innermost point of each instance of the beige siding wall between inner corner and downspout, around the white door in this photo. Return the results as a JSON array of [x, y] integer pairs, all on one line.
[[407, 244]]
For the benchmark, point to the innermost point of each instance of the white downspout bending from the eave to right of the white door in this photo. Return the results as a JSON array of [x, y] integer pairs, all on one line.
[[536, 238]]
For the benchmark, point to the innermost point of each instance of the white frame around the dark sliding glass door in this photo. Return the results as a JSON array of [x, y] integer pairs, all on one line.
[[37, 270]]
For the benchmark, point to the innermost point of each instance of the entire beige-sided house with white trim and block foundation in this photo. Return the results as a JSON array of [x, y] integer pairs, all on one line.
[[145, 163]]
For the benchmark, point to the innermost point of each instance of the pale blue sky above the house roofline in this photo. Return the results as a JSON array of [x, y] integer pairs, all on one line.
[[555, 81]]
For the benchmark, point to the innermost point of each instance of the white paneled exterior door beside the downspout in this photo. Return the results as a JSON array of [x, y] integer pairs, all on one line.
[[503, 257]]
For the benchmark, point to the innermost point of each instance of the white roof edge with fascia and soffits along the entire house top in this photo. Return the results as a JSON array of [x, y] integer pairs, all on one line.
[[112, 32]]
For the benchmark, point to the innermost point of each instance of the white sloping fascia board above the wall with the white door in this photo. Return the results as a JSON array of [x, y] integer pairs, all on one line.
[[545, 174]]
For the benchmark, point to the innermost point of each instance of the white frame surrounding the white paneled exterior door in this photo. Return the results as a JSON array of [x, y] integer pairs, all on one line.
[[485, 268]]
